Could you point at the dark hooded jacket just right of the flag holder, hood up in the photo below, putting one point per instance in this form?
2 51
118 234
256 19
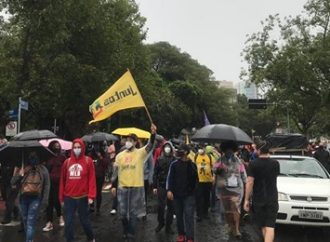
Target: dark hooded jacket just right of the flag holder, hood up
162 167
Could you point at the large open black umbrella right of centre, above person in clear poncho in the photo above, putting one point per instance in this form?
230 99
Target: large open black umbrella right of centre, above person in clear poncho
221 132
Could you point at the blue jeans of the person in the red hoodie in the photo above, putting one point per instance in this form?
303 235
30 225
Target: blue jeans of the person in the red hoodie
70 207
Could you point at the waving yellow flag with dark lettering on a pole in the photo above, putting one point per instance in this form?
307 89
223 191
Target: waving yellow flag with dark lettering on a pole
124 94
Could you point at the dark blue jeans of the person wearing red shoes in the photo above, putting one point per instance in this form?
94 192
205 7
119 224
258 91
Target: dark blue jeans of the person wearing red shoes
185 210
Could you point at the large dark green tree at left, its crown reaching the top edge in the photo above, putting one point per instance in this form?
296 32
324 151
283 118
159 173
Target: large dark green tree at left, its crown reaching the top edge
61 54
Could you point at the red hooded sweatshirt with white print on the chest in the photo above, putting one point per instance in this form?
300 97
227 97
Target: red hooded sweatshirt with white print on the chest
78 176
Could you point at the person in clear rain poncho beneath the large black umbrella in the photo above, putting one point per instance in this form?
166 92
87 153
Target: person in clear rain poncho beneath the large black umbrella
230 179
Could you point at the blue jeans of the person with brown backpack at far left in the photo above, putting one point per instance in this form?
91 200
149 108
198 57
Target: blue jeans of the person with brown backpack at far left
29 209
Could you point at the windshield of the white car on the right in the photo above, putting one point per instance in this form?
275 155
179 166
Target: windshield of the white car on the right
301 167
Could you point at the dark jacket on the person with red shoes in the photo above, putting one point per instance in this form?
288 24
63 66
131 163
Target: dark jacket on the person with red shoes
182 178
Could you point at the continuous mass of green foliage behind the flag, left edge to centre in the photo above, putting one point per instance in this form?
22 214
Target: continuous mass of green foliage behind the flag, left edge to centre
61 55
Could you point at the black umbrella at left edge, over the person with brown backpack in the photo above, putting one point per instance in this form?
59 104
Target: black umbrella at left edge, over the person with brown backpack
18 151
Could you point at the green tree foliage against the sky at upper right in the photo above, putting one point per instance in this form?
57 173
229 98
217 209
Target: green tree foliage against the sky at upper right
294 67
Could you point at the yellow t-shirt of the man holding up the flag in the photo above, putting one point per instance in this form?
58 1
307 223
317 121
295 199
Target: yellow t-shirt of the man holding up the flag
131 167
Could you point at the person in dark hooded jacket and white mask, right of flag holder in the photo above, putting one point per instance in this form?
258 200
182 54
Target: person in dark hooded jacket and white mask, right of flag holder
162 166
